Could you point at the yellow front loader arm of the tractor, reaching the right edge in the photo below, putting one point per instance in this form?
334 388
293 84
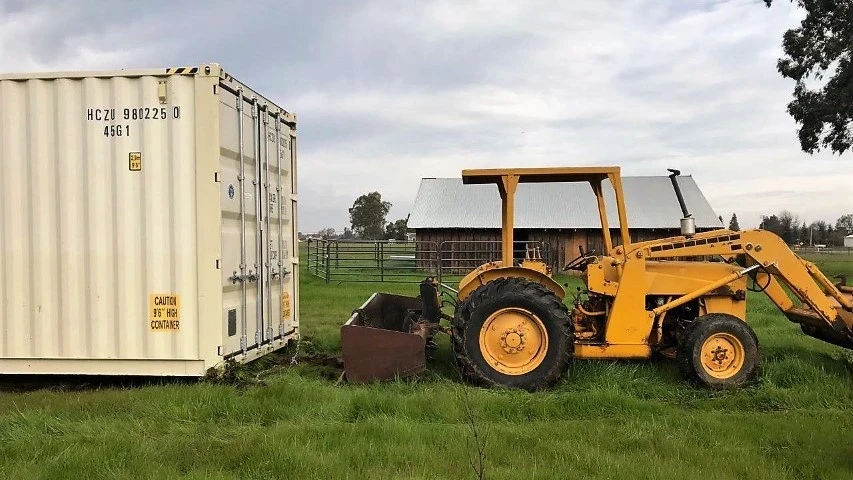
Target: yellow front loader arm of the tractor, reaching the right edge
824 310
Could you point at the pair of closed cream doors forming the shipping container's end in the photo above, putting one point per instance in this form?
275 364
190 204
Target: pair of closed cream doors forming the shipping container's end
256 174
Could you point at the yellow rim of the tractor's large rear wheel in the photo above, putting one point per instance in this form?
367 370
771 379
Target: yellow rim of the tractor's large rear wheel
513 341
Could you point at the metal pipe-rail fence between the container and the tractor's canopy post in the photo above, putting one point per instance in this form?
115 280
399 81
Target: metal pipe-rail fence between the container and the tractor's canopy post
406 262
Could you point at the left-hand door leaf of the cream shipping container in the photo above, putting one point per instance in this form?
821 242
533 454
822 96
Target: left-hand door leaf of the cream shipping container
241 234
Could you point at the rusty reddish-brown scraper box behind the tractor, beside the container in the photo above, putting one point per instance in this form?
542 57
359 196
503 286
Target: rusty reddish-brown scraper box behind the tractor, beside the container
378 342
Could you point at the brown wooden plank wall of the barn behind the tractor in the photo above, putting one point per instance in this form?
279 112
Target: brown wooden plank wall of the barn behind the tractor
467 248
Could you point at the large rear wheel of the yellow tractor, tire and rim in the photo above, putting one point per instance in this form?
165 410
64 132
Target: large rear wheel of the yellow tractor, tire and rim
503 313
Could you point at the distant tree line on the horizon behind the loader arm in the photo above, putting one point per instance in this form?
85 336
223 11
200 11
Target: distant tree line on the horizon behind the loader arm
795 232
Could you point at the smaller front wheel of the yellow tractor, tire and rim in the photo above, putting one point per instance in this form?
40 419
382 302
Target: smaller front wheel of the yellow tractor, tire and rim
719 351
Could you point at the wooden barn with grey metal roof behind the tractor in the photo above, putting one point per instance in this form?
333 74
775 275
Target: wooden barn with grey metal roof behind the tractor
462 222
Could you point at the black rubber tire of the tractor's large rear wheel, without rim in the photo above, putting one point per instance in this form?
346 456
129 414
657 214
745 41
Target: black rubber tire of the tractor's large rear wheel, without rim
502 293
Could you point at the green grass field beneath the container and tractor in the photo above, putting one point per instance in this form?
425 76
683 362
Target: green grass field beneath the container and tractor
606 420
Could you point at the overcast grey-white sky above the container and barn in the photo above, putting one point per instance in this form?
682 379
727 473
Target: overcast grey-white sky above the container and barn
388 92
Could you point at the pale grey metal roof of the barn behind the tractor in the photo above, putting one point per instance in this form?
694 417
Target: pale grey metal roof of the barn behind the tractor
651 203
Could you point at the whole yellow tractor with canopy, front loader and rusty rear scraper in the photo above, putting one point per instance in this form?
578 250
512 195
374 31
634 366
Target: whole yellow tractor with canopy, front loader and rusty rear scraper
682 297
